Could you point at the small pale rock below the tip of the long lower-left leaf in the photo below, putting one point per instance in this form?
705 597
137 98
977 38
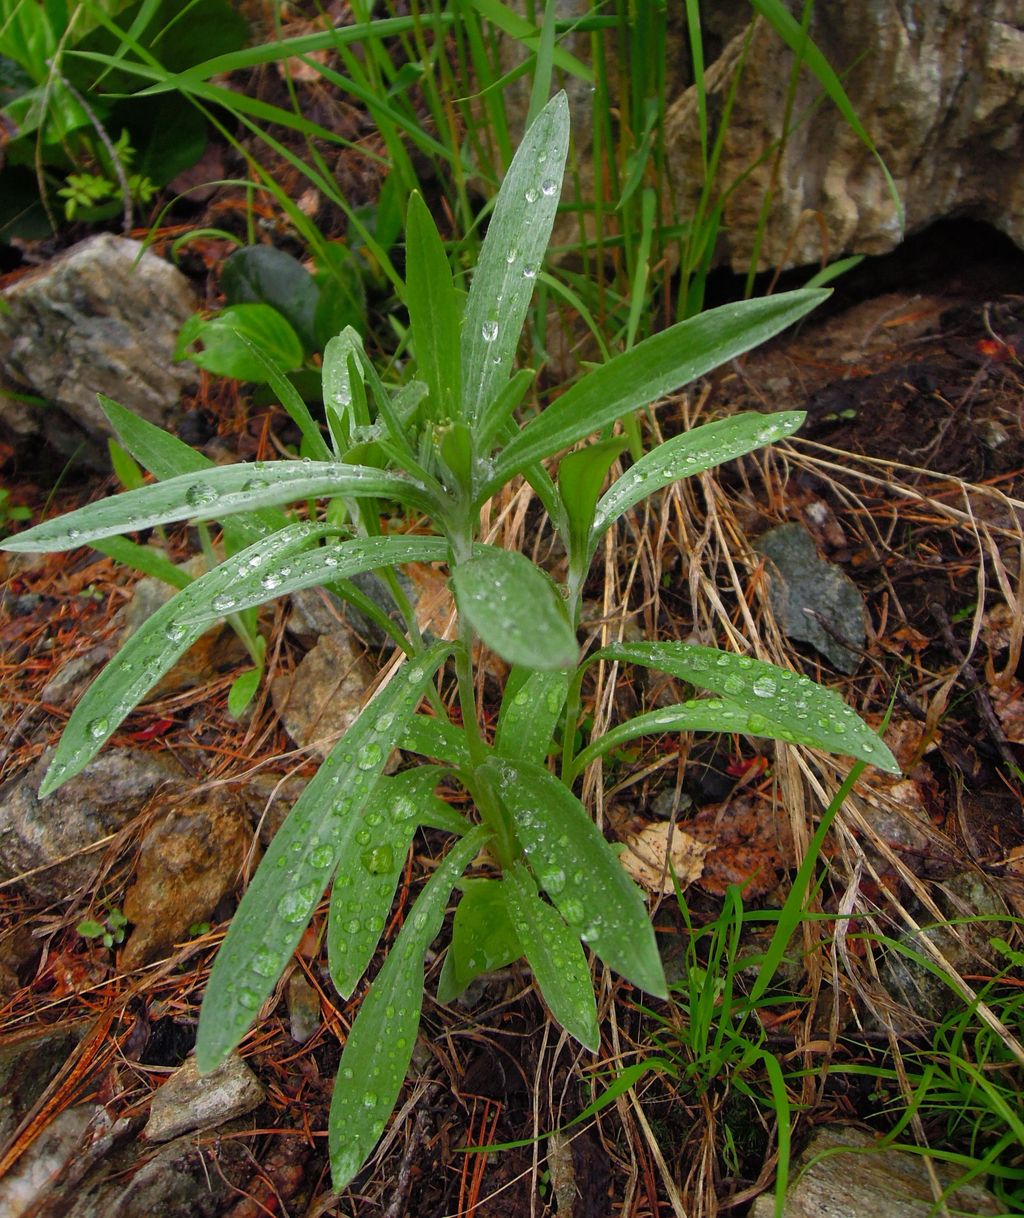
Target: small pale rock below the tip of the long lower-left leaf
187 1102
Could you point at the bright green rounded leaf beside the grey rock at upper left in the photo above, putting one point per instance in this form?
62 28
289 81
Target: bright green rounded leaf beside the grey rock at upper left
225 348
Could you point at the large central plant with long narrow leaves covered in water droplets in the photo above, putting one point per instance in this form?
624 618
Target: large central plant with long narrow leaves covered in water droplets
443 445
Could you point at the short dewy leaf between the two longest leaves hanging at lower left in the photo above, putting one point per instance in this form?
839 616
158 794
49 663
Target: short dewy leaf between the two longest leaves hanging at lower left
368 875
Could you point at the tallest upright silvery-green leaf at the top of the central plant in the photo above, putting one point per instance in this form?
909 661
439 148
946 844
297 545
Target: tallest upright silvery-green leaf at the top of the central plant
510 259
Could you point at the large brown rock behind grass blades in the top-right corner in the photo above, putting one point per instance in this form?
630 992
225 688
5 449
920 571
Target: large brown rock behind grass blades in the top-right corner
939 85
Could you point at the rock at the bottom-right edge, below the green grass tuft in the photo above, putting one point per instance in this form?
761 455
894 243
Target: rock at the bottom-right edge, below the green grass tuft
883 1185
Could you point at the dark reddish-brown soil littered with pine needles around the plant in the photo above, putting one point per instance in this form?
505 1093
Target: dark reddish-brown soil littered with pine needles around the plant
907 473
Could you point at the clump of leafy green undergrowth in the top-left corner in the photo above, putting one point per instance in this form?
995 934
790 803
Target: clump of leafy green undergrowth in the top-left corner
75 131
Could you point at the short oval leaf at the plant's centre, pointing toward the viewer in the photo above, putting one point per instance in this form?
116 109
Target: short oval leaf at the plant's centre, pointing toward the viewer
514 608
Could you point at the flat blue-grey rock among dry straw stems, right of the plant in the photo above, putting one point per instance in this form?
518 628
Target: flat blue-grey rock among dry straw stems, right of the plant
809 595
